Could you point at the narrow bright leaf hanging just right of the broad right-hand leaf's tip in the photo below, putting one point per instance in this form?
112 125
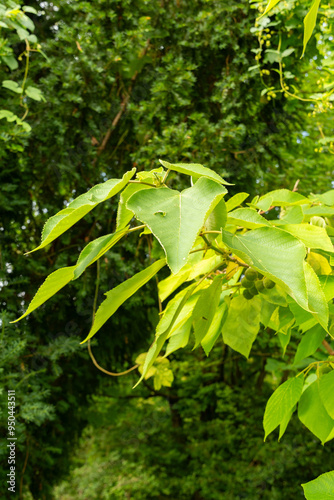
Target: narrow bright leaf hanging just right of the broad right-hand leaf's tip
316 298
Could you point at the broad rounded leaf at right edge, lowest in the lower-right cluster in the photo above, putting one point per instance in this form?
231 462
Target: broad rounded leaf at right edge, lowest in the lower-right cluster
312 413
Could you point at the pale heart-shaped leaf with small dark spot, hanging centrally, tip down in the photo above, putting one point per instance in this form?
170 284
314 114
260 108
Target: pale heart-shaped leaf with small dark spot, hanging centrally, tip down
176 218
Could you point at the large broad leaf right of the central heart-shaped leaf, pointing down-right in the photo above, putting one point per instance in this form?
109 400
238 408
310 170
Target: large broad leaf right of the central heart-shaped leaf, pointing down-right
276 254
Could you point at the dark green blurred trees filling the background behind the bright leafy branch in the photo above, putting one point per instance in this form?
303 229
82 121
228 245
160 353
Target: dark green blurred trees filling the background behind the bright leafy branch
126 82
